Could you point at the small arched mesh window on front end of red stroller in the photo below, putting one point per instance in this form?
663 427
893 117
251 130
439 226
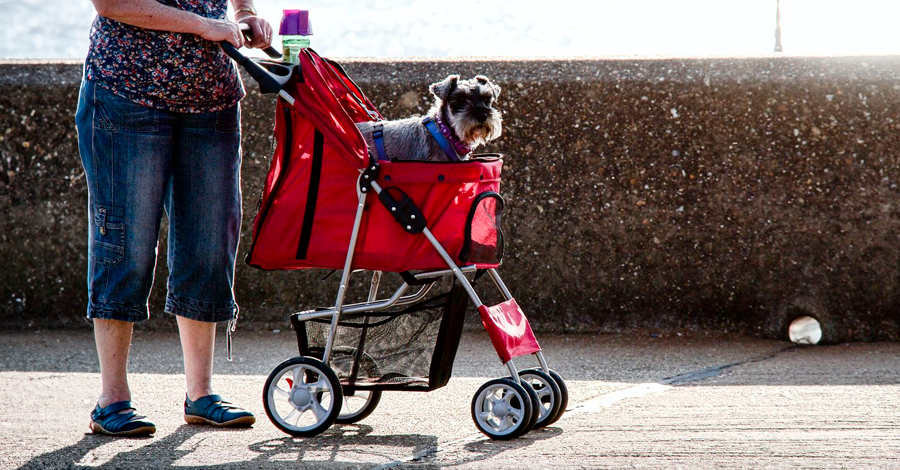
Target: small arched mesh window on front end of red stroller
484 237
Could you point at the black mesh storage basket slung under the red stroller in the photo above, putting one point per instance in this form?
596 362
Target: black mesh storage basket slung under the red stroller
408 349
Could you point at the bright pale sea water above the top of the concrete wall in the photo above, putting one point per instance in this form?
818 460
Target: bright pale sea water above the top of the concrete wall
58 29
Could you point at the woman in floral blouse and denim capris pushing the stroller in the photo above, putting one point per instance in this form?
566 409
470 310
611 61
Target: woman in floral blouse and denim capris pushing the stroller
159 129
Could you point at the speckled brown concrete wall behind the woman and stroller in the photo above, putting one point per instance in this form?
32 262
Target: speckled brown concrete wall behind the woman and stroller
727 194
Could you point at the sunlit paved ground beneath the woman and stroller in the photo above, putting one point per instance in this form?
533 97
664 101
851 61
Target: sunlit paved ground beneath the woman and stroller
636 402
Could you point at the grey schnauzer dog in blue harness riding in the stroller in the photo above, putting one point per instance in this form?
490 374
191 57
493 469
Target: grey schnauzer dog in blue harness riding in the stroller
462 118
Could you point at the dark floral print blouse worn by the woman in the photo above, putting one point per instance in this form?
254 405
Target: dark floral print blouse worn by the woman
170 71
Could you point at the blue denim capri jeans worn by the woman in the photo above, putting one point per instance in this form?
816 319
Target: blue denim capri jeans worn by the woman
139 161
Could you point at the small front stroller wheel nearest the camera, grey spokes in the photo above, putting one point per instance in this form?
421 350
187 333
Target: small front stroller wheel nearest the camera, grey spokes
502 409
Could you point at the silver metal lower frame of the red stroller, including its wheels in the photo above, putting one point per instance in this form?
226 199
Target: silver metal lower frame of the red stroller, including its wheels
526 399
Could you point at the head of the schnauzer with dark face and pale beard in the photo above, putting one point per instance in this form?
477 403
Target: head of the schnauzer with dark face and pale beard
468 108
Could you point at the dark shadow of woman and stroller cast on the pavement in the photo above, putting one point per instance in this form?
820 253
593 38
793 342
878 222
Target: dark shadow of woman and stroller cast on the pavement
341 447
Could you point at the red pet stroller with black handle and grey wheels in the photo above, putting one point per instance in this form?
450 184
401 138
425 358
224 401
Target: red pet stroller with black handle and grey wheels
327 204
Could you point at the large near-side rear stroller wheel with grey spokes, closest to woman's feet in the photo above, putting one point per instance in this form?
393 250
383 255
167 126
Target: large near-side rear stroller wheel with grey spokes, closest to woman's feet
302 396
